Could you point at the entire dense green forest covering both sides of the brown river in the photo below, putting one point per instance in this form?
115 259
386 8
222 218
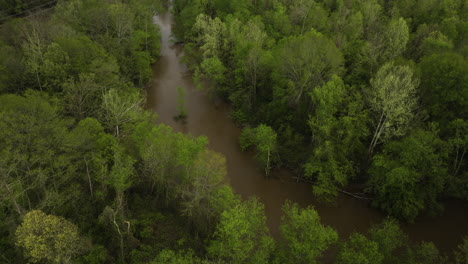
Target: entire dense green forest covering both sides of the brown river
366 93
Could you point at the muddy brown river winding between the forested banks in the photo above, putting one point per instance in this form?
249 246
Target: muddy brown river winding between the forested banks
211 118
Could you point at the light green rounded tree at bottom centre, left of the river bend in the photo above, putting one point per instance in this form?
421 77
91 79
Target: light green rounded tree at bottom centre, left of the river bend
241 235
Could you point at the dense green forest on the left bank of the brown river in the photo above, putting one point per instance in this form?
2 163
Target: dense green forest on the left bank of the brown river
85 174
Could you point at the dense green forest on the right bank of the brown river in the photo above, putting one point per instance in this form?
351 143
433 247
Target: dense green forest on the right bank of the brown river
368 92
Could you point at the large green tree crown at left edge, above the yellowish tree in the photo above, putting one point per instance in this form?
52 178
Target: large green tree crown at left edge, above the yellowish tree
32 140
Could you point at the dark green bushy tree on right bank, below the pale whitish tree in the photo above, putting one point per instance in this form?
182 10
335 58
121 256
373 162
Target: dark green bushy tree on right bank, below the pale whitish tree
409 175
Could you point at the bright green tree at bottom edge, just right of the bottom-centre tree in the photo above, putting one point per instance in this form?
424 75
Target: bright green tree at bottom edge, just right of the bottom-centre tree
305 237
